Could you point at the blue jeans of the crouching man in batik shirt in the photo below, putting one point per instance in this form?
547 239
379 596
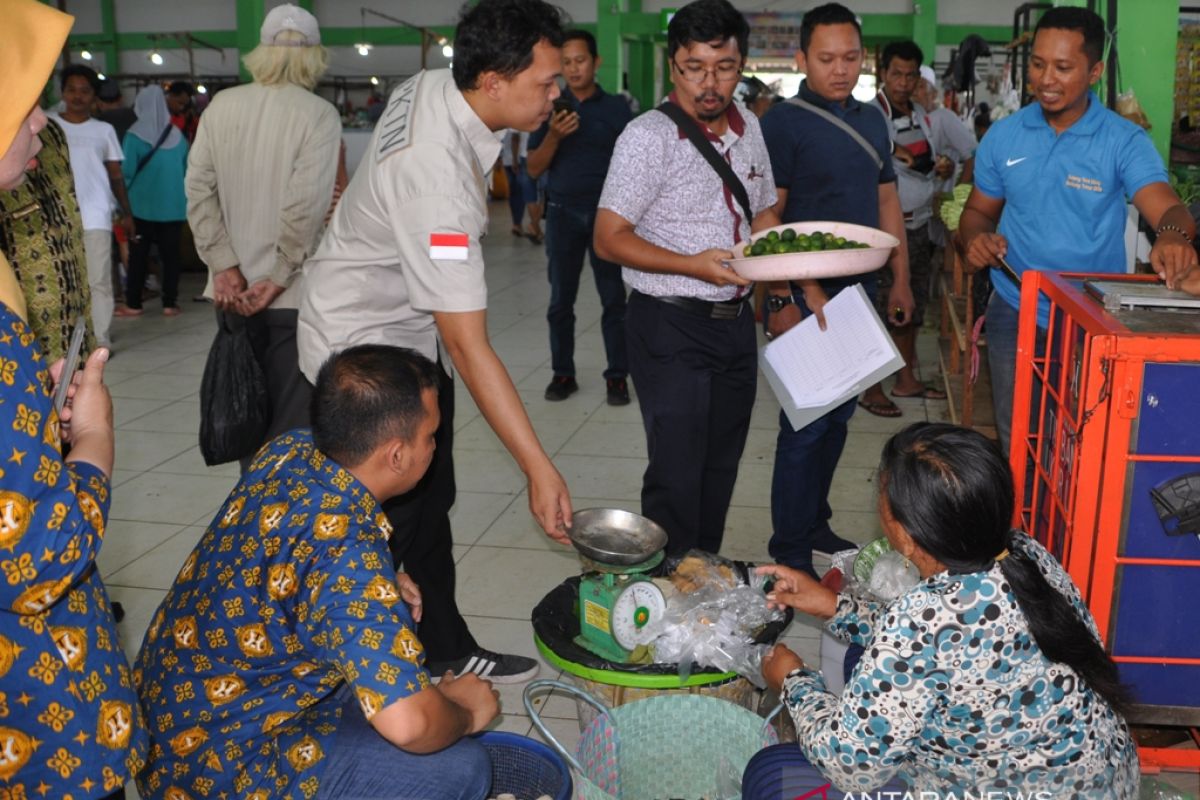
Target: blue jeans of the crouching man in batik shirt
364 766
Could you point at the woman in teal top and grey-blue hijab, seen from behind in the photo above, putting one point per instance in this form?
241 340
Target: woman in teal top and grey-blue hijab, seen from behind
155 164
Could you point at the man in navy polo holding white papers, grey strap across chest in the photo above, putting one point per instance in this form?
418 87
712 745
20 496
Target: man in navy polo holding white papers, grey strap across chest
823 172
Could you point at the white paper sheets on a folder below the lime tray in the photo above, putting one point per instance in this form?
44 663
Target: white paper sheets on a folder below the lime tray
814 371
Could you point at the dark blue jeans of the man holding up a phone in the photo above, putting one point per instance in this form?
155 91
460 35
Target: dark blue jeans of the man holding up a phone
568 238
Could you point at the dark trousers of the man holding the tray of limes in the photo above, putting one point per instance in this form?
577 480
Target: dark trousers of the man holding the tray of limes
697 380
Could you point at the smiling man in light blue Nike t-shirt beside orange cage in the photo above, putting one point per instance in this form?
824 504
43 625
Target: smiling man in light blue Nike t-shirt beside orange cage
1052 184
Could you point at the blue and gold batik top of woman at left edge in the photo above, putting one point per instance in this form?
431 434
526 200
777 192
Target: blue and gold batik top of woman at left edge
70 725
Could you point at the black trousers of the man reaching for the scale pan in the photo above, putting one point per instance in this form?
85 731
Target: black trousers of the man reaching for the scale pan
422 542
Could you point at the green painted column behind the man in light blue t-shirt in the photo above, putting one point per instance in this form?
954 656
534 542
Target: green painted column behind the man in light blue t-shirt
1147 35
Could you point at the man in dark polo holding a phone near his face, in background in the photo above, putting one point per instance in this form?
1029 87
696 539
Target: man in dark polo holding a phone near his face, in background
575 147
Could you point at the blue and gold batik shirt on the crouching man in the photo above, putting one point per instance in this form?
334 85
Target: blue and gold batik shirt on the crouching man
289 597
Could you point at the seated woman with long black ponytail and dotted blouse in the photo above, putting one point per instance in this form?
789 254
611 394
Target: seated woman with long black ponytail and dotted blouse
988 676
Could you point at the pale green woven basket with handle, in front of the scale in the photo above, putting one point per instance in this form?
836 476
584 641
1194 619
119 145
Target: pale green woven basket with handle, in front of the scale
667 747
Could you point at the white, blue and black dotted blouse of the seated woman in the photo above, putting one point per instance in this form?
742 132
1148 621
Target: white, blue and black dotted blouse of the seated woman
953 695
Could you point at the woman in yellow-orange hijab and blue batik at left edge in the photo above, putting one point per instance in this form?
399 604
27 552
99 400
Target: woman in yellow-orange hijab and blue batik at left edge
73 725
